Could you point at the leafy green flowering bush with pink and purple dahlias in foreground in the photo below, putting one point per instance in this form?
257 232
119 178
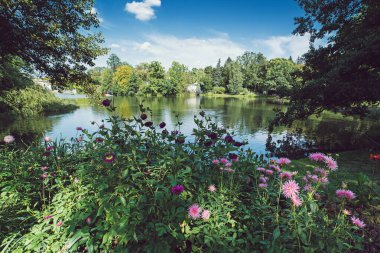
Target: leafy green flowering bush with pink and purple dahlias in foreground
135 187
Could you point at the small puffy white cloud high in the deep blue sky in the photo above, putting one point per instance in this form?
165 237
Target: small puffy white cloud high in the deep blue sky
143 10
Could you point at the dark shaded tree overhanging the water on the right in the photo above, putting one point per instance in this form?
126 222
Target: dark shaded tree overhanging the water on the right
344 74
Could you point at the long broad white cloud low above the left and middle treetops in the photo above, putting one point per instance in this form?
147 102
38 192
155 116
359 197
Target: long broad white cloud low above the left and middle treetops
193 51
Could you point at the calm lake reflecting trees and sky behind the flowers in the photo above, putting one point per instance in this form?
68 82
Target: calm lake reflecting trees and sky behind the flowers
247 117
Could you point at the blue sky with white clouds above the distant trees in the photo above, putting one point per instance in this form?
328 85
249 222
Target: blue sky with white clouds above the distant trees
198 32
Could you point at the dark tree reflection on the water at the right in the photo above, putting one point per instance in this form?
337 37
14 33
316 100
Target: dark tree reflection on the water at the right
326 134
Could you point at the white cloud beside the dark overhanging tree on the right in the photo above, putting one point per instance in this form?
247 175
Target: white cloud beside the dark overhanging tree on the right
283 46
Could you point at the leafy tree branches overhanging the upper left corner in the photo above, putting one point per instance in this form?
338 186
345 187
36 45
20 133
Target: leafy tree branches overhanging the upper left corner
53 37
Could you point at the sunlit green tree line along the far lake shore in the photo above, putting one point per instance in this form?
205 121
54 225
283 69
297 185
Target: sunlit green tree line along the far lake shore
250 72
